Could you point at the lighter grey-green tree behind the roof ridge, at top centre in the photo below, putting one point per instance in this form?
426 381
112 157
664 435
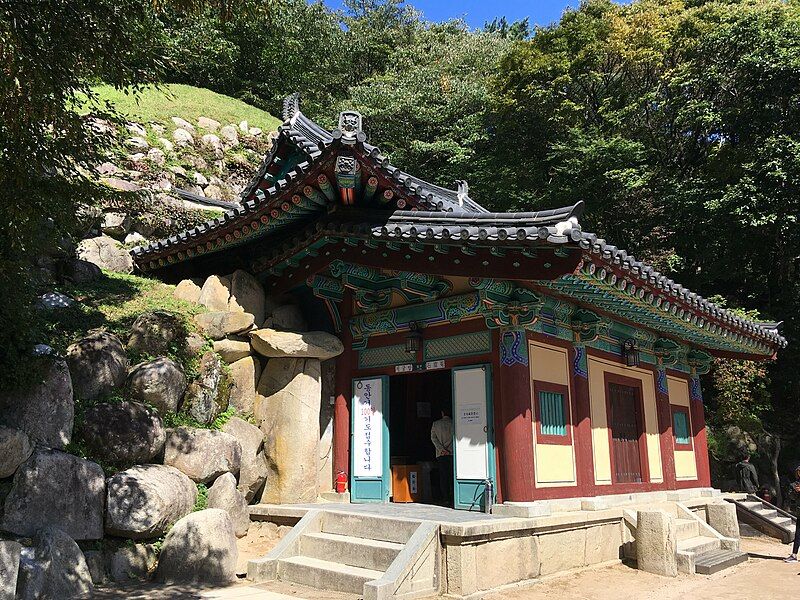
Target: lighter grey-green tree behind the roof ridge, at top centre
427 110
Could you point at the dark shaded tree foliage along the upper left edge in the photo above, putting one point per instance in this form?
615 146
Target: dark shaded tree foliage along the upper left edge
50 52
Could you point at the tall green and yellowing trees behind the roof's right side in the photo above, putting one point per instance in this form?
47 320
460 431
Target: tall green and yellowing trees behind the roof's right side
677 122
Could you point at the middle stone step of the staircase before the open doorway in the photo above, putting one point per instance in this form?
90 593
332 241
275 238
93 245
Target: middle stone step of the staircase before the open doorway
353 551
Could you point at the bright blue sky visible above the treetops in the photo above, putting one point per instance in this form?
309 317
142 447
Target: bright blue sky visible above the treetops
477 12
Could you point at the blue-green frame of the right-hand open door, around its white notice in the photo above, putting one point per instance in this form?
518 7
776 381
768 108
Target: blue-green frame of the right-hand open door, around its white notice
469 493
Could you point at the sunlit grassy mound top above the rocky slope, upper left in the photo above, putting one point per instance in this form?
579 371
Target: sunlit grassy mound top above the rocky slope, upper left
159 104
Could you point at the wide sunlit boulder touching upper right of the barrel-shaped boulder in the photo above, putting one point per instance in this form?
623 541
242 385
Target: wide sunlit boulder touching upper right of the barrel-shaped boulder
202 454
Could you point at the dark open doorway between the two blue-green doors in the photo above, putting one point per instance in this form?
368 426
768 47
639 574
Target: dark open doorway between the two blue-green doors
417 400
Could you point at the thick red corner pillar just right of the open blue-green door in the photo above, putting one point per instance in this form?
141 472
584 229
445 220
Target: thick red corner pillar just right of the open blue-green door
516 423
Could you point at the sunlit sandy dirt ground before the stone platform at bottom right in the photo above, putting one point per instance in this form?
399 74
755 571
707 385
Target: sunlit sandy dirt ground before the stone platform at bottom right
764 577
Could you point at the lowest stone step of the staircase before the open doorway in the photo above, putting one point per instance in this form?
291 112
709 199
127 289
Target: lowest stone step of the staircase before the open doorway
325 575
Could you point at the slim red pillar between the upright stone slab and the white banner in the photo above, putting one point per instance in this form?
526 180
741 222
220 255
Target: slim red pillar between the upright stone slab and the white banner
343 391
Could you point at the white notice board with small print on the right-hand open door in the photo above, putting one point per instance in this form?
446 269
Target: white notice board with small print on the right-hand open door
469 405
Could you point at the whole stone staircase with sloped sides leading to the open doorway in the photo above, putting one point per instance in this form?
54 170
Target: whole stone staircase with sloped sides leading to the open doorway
371 556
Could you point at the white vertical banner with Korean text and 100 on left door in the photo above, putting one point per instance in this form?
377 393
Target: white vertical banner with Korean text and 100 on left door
368 428
